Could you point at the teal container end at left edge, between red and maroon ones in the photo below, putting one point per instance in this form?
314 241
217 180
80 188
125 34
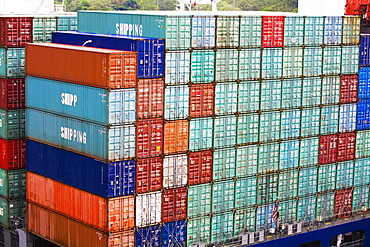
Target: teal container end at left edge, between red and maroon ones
12 62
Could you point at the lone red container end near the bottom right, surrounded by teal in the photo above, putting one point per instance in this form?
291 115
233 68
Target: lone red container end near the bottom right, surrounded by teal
343 203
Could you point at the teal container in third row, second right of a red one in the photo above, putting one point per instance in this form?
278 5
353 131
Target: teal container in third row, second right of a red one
249 96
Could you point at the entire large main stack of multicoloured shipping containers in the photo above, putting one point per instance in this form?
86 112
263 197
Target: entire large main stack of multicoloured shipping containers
254 115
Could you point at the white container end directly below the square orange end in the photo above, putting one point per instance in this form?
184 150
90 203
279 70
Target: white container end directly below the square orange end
175 171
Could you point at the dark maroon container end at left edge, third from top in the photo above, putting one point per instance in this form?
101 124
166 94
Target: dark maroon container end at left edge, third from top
13 93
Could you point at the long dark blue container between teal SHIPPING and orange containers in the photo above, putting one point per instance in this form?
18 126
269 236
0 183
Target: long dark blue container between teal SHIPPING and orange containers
103 179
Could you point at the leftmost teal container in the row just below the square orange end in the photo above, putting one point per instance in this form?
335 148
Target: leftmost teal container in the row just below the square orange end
224 163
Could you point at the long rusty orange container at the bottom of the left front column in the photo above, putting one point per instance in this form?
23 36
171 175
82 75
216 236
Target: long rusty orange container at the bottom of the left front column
67 232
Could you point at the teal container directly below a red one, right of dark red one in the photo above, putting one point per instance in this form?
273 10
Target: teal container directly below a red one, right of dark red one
199 200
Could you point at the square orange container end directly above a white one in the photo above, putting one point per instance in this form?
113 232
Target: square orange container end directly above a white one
176 136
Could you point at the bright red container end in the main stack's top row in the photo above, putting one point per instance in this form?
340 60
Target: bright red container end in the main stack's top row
273 31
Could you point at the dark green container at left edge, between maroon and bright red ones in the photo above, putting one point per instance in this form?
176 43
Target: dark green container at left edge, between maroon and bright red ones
12 124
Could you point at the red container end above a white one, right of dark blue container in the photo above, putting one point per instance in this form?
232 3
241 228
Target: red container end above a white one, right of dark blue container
149 175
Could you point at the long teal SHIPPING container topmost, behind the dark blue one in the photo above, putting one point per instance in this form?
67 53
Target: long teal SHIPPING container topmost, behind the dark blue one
172 26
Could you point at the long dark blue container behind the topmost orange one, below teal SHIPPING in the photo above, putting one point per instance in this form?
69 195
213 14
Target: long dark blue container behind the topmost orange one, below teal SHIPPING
150 50
